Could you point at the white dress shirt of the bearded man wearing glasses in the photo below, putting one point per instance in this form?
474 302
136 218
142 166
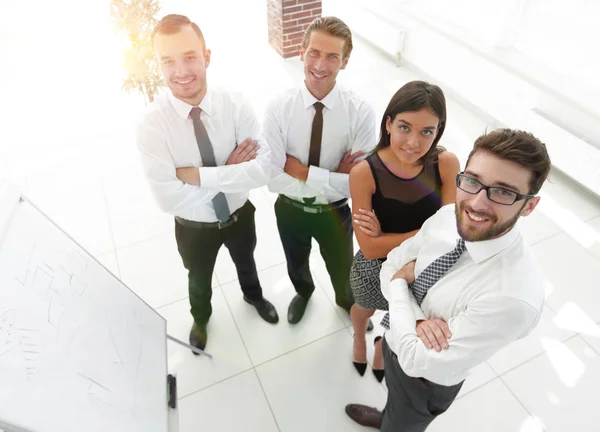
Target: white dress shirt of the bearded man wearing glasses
492 296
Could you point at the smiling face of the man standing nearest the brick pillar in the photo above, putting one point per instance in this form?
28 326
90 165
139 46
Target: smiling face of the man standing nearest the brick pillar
323 59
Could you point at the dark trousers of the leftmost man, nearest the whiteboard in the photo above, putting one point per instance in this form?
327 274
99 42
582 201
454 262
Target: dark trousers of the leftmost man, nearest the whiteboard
199 247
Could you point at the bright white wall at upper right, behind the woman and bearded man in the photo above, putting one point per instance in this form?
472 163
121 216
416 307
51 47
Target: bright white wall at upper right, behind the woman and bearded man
480 52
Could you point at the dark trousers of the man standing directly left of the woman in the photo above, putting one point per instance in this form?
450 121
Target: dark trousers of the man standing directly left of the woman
333 231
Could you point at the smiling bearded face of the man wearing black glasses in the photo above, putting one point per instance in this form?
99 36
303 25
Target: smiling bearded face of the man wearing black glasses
478 218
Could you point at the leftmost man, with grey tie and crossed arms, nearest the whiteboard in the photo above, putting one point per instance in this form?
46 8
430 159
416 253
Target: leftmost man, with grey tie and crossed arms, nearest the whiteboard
202 152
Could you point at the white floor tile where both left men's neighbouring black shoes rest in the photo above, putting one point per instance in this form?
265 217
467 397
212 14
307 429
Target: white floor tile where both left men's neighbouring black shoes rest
266 341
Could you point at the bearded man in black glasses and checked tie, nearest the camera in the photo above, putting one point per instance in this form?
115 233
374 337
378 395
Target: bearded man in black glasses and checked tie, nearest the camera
464 287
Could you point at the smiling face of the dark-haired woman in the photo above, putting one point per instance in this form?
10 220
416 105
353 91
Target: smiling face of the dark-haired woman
412 134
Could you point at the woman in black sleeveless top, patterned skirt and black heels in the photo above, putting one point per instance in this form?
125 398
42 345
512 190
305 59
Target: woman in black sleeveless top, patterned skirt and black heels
394 190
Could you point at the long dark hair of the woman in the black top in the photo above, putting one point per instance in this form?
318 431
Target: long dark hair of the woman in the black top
414 96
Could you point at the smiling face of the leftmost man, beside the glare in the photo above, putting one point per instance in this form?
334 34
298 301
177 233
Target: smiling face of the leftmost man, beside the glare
183 61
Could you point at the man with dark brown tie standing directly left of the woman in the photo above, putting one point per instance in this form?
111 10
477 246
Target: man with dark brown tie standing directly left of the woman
317 132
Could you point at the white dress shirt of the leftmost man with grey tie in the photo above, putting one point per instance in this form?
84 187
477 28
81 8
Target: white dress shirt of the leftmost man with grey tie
167 141
